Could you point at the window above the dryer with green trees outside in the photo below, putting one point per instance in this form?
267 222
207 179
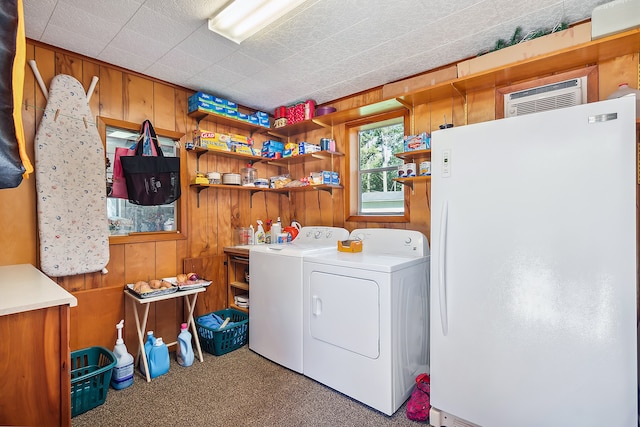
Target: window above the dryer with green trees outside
373 191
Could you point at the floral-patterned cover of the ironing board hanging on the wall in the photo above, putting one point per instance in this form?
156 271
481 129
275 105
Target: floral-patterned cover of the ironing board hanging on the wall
70 184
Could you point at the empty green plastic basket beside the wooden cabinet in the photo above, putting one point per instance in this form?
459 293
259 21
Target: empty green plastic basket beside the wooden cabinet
90 377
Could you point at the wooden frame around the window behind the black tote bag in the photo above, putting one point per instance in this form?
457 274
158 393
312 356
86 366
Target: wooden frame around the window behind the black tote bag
181 205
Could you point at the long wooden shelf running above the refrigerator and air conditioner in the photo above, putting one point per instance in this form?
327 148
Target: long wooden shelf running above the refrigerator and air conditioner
573 57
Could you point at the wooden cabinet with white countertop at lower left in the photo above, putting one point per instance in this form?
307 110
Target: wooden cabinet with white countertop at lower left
34 356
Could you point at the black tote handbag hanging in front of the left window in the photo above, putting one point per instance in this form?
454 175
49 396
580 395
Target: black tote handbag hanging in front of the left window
151 180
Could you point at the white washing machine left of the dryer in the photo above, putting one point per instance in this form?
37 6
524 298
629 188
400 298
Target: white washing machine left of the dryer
275 315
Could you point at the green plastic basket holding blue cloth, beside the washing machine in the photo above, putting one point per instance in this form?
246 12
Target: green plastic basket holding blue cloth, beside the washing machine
222 341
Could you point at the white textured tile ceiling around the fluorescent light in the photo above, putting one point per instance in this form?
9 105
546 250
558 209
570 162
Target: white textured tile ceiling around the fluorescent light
323 50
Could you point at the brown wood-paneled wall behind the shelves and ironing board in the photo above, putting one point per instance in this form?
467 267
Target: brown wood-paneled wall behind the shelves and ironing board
211 220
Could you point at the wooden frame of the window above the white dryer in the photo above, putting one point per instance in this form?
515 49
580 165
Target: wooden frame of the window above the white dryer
352 187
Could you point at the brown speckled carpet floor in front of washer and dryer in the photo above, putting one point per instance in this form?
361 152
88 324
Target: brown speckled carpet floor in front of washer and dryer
240 388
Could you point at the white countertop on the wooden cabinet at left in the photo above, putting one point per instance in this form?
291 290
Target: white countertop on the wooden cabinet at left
23 287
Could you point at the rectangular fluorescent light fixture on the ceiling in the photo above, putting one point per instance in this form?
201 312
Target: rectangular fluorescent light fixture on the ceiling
238 20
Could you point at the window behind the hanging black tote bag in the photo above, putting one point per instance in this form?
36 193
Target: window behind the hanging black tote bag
126 218
